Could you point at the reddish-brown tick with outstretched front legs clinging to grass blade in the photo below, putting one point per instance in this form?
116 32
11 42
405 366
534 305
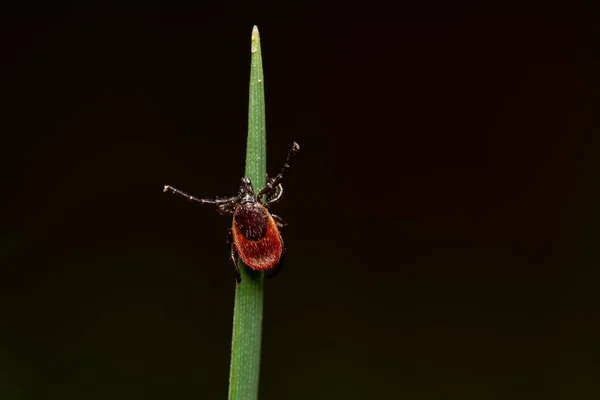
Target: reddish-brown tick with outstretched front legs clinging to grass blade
254 235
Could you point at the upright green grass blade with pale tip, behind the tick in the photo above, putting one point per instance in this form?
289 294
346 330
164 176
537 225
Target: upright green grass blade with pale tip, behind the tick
248 311
